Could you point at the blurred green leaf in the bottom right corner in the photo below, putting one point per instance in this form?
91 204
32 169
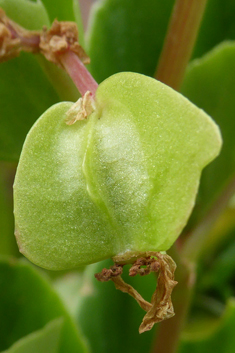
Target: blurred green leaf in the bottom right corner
212 336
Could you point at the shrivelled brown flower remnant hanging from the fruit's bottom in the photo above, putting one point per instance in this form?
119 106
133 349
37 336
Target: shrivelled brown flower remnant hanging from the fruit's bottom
161 307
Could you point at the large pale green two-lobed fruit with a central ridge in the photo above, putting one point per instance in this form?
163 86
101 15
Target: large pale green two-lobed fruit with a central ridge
124 180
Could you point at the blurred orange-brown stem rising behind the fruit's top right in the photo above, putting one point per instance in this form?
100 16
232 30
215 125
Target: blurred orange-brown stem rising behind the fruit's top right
180 39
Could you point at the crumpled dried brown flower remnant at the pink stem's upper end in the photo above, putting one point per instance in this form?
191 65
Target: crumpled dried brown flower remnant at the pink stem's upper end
61 37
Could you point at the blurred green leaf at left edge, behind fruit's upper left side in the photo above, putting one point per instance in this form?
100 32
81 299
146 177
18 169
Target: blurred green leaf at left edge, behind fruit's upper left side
25 94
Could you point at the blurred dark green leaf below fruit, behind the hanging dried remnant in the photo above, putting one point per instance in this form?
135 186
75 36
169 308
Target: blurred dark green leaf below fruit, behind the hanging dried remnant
109 318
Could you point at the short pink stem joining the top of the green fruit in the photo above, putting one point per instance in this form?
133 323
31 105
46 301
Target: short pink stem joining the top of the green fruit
78 72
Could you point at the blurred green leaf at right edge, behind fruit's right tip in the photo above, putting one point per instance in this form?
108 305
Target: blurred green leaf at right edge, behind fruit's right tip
210 84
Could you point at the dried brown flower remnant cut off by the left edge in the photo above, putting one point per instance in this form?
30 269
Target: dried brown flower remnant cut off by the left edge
14 38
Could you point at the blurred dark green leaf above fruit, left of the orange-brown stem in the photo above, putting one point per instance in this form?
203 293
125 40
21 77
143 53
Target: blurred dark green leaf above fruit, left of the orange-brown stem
127 36
